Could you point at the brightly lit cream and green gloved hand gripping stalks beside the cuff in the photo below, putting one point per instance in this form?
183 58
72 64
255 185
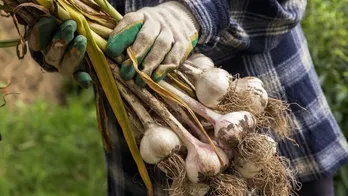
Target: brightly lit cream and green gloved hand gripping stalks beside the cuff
162 37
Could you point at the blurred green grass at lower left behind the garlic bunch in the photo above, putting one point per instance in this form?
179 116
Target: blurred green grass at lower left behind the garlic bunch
51 150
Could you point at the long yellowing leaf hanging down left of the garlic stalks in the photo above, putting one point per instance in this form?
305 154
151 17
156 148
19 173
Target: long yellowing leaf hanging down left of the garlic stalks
111 91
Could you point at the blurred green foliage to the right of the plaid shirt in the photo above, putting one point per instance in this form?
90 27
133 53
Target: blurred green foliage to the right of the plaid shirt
326 28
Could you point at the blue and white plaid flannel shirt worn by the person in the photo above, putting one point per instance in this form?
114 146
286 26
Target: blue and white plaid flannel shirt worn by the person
263 39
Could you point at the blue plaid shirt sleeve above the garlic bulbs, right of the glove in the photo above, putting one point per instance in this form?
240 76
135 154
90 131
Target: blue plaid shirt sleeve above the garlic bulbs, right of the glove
246 25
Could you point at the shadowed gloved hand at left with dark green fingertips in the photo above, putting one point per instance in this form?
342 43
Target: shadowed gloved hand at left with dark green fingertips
57 48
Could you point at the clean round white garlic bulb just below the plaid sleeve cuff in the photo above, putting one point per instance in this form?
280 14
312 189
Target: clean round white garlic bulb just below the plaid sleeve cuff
211 86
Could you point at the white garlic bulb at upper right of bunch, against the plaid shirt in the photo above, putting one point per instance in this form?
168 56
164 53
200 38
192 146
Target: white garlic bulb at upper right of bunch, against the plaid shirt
257 92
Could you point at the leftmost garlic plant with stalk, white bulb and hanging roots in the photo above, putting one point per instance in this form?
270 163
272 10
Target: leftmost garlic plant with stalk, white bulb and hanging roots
157 147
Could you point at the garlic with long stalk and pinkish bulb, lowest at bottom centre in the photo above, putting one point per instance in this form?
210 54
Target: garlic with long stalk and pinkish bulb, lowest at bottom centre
201 159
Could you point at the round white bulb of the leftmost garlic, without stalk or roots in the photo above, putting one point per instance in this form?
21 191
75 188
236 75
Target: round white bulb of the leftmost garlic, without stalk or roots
157 143
